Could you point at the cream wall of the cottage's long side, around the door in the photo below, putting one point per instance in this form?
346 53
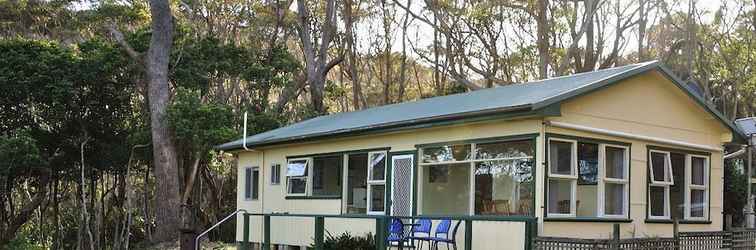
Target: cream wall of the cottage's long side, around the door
299 231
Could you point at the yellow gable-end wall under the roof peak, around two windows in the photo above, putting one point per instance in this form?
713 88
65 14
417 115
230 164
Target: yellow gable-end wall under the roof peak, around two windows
647 105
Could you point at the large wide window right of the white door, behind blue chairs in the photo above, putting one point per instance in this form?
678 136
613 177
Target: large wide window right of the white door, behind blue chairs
491 178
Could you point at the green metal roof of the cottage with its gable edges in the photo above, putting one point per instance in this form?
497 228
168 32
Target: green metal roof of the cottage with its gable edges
531 98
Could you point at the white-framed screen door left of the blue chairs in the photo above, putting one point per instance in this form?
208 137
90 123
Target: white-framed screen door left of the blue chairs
402 172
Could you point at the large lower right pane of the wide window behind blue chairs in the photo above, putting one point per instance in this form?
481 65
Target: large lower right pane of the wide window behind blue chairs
503 187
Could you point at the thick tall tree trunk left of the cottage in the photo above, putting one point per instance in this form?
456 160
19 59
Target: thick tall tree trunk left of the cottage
167 201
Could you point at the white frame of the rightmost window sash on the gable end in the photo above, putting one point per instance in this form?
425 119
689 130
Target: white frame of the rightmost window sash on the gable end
689 186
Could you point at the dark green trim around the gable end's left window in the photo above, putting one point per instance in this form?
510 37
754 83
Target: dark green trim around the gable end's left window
588 140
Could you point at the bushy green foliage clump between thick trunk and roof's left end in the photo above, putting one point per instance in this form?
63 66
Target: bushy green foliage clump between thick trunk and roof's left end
199 124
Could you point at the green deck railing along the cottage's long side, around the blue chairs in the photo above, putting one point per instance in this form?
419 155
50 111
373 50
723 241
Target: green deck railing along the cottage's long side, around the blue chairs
381 227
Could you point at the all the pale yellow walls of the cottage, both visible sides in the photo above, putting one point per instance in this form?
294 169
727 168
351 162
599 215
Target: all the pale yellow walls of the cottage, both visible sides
647 104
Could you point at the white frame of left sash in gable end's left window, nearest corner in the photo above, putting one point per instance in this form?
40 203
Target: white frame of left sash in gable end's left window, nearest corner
572 177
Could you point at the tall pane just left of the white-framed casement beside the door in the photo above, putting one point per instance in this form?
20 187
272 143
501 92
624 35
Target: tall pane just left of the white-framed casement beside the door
356 184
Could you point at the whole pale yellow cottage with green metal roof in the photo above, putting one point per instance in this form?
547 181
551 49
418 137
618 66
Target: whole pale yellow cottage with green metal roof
574 155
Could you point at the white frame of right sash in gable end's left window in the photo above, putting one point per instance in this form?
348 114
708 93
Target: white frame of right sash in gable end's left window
603 180
